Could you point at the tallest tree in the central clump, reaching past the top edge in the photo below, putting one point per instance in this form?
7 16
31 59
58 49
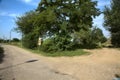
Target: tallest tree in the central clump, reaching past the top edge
68 17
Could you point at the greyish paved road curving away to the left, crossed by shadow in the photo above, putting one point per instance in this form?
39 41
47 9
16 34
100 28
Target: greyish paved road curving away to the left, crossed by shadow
15 67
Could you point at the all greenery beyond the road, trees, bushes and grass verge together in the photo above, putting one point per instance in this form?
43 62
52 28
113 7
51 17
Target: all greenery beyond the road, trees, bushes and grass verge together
65 27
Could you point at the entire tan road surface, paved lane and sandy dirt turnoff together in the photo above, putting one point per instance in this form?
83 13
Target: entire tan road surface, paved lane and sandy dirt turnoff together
102 64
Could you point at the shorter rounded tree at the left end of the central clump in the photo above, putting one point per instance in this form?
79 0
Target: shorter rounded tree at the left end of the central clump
28 29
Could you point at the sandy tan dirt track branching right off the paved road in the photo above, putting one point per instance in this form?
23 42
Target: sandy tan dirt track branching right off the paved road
102 64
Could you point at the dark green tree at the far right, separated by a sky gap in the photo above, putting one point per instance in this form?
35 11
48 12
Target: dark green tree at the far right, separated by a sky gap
112 21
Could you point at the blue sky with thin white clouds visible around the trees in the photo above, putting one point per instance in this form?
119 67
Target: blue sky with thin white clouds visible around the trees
10 9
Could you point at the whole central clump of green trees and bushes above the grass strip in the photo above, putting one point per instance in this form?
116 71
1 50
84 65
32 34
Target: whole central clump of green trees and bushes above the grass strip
62 24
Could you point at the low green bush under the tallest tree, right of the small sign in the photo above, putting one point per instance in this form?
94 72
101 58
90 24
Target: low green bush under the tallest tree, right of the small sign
57 44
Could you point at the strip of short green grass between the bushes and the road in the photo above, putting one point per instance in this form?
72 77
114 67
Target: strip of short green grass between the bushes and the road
77 52
